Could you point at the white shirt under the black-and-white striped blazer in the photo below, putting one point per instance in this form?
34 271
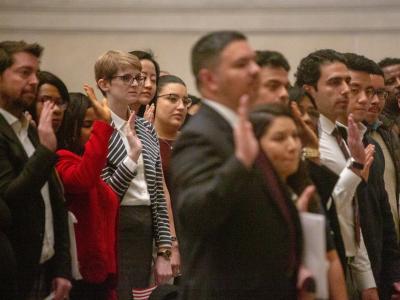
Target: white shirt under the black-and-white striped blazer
137 193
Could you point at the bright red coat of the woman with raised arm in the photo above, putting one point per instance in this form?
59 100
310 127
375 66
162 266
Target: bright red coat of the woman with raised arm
94 204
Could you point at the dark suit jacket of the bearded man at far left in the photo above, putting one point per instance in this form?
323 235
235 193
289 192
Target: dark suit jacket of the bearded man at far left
21 179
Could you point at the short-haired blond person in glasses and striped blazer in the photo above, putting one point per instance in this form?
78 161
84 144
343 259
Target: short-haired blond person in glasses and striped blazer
143 213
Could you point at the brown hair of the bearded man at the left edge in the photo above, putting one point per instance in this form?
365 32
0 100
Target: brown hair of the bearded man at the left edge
9 48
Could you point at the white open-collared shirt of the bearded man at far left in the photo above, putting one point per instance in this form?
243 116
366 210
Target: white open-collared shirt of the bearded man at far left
20 128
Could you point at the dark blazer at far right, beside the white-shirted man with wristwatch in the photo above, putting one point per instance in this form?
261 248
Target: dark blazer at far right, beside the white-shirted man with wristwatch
378 227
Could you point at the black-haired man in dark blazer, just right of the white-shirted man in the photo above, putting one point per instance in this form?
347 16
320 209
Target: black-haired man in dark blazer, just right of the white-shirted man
375 216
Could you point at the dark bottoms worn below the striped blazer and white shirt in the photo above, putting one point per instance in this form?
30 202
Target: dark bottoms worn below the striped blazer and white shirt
135 241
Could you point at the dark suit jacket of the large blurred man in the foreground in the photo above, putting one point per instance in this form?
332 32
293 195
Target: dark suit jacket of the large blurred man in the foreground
234 240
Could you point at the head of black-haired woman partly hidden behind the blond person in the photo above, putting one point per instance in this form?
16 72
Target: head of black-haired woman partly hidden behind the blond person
150 68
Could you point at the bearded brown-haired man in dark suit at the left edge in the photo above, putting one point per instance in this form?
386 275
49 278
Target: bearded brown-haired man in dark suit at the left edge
28 182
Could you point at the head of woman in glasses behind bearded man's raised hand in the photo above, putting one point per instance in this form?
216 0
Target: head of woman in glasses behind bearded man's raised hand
50 88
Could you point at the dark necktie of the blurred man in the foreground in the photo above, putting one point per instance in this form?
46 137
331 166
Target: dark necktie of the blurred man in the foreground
276 192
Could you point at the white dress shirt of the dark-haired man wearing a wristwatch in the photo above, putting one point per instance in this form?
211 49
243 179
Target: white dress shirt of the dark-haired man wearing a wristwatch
343 193
